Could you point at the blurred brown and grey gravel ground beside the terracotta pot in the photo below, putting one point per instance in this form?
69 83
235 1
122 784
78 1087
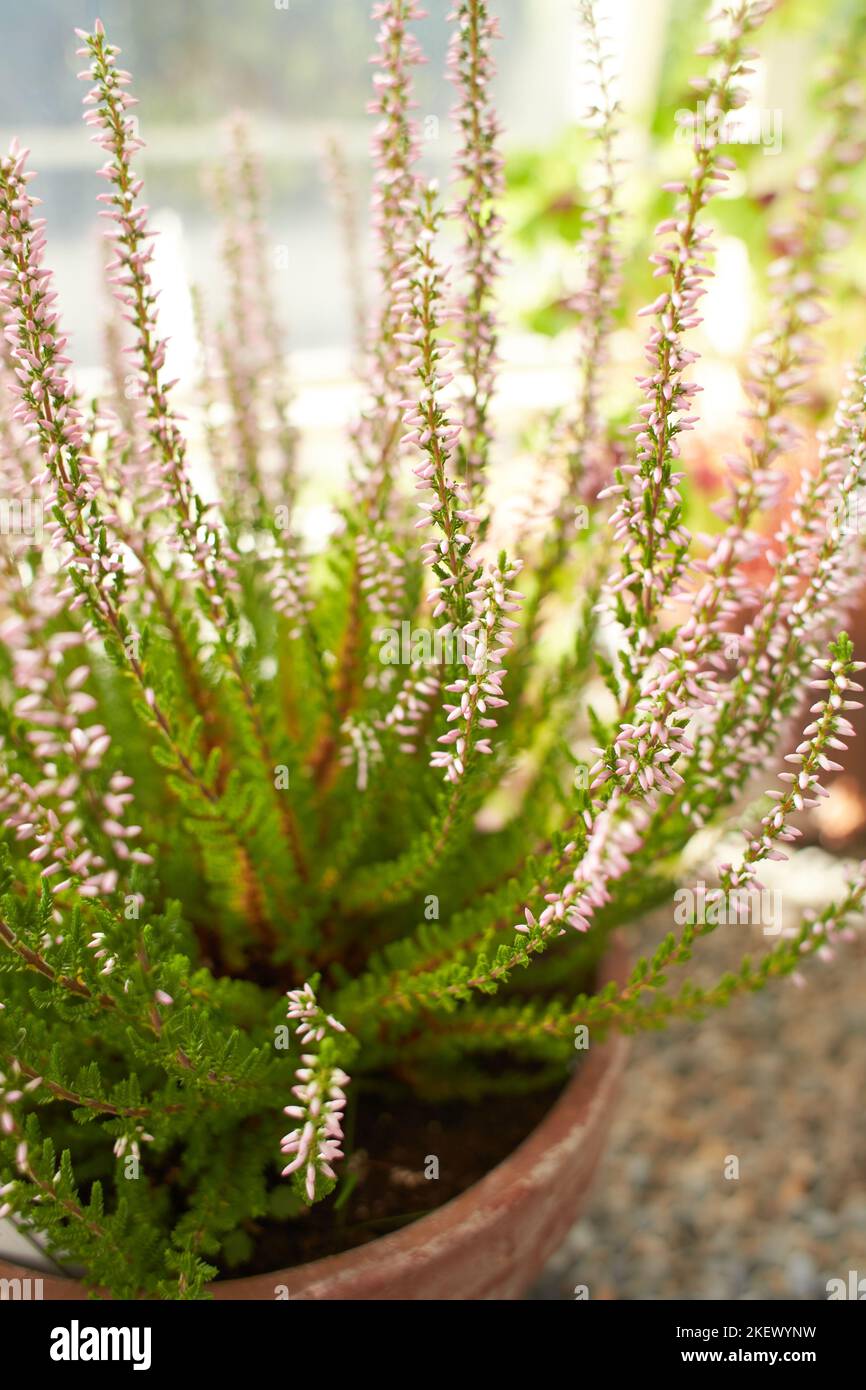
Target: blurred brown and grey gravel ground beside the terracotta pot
778 1082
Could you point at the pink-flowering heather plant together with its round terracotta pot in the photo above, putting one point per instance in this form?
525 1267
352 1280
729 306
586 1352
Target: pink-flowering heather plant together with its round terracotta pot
251 864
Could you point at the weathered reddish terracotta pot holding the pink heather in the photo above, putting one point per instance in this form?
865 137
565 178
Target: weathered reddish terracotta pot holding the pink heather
489 1243
